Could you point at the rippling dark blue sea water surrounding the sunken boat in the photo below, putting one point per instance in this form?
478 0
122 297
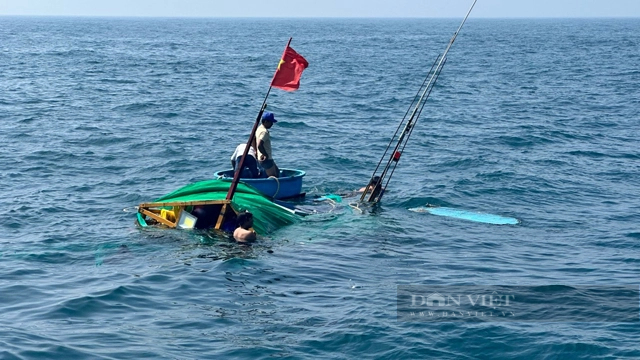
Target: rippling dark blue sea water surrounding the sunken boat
534 119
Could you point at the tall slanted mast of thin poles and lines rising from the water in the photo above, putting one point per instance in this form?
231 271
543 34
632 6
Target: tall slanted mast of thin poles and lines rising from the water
375 189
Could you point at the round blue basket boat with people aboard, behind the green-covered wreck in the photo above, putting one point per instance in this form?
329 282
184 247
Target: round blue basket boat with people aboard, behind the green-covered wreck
287 186
